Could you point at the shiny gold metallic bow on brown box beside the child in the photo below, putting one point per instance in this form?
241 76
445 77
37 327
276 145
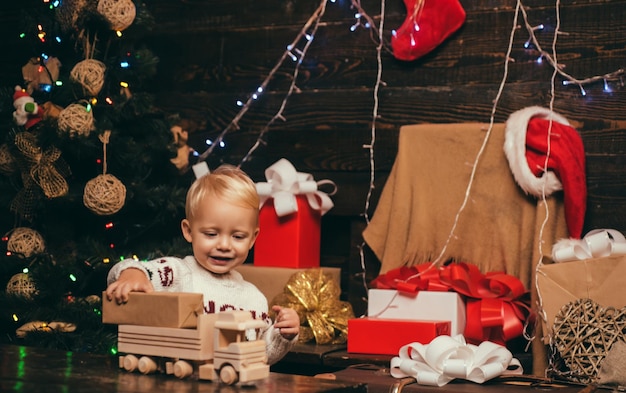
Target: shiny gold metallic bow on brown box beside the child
314 295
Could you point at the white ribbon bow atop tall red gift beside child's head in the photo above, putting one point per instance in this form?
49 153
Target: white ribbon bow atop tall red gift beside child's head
284 183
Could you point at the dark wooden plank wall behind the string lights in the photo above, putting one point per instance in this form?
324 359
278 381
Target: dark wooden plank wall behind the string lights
214 53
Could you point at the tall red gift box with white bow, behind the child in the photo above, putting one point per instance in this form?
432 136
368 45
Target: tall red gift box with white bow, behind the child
291 210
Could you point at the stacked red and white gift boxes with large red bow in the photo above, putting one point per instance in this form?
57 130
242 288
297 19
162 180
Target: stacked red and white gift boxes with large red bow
419 303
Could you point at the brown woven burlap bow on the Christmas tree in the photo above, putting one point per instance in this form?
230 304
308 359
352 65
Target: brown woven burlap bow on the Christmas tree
43 168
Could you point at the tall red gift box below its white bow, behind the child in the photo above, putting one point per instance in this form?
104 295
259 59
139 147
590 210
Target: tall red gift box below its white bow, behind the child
288 241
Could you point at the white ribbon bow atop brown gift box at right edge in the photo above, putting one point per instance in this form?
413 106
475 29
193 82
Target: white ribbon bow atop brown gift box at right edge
598 243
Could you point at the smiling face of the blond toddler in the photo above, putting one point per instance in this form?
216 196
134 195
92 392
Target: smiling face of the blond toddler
221 234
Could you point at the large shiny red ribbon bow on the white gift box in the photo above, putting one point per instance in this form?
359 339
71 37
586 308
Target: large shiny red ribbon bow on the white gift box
496 303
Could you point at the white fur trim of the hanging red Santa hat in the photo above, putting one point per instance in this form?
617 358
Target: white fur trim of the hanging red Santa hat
515 151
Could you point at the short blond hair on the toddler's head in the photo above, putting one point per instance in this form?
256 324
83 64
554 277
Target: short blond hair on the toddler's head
226 182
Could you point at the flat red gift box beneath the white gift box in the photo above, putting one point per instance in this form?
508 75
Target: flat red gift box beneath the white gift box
383 336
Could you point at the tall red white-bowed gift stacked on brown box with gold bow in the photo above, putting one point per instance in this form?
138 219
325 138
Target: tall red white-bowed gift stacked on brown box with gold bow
286 265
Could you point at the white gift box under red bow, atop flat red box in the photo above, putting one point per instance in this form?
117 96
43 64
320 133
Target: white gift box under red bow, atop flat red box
425 306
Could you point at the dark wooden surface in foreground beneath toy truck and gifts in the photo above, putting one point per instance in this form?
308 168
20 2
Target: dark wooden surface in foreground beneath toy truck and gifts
29 369
